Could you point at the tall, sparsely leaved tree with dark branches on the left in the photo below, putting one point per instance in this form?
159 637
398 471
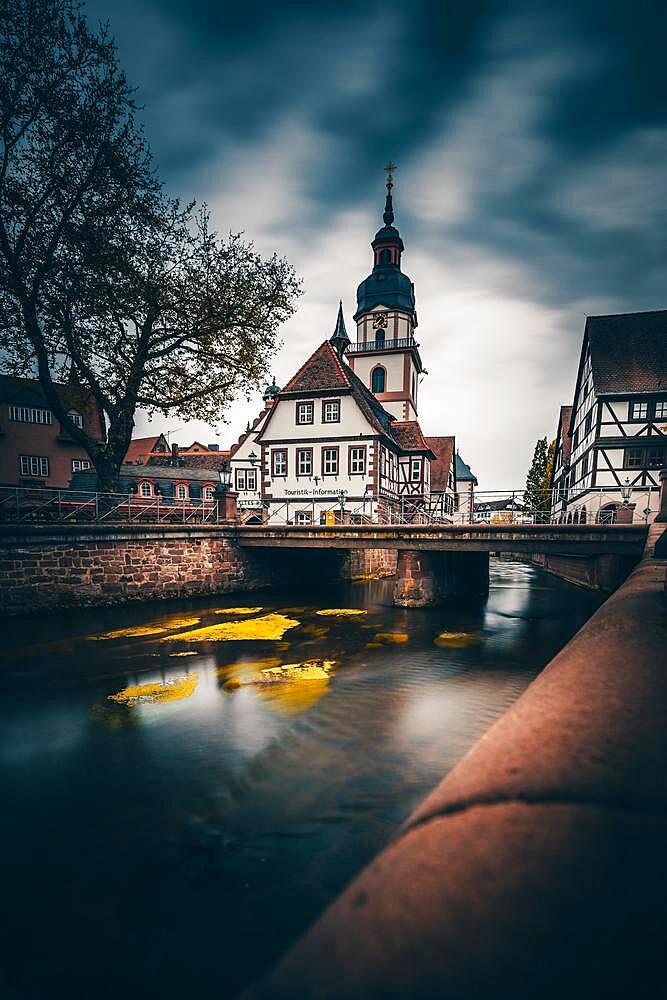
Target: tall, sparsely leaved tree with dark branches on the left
104 281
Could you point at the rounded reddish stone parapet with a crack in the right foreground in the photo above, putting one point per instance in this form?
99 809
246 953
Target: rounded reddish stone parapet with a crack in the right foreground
537 867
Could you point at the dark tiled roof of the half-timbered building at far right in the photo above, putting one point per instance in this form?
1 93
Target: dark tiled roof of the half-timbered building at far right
628 351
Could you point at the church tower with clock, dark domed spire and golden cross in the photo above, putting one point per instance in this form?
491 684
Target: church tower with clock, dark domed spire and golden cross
385 355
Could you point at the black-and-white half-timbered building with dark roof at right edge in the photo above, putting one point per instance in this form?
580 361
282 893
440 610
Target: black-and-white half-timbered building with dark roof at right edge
613 443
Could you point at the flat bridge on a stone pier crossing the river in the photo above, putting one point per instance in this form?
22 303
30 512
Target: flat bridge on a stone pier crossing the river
446 560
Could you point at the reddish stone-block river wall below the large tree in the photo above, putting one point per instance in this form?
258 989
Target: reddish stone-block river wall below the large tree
74 566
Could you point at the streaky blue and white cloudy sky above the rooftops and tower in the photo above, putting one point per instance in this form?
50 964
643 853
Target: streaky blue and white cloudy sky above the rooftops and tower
531 143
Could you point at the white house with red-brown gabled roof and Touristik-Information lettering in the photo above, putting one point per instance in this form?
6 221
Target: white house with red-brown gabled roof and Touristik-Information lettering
327 439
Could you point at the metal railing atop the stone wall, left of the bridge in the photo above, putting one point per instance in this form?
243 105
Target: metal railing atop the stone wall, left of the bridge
41 505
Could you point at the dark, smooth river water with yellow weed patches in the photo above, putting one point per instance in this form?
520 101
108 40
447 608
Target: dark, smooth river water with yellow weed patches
174 848
